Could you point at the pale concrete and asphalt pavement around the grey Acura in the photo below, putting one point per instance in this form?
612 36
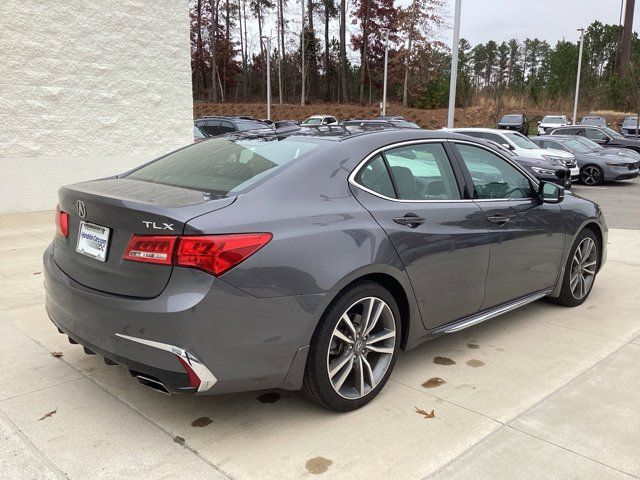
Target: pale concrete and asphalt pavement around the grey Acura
542 392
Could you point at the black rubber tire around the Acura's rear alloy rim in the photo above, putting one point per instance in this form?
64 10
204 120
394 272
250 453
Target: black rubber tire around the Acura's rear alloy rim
317 385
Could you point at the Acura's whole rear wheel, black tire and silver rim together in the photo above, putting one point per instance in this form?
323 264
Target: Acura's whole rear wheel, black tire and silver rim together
354 348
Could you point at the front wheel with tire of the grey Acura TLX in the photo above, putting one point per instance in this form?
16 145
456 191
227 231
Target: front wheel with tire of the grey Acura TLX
580 270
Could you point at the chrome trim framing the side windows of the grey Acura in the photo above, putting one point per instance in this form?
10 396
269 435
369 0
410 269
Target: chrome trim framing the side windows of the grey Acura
361 165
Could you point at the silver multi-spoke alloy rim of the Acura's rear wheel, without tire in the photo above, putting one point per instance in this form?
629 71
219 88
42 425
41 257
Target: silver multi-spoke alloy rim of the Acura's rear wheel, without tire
361 348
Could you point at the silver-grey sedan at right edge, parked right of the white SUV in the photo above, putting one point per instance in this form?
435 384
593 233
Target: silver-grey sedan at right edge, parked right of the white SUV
594 168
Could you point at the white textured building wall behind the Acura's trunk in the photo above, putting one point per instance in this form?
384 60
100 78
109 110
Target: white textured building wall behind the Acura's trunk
88 89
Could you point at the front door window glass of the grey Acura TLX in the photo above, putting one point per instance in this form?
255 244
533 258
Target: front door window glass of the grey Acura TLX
492 176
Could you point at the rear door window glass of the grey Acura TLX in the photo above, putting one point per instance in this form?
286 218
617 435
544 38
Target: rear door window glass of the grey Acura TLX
422 172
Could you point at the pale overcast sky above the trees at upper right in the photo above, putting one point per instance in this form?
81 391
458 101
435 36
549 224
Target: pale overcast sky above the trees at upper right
549 20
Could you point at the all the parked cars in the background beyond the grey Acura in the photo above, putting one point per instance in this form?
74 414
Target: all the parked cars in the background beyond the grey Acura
563 154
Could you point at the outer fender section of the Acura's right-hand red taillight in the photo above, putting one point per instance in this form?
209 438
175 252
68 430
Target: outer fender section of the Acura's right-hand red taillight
217 254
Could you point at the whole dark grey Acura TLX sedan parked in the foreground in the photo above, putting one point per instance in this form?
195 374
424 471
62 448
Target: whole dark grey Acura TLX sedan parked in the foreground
308 258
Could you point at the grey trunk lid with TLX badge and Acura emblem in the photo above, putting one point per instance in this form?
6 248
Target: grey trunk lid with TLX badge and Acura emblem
126 207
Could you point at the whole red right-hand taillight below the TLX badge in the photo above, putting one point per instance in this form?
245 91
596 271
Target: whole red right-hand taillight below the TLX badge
215 254
